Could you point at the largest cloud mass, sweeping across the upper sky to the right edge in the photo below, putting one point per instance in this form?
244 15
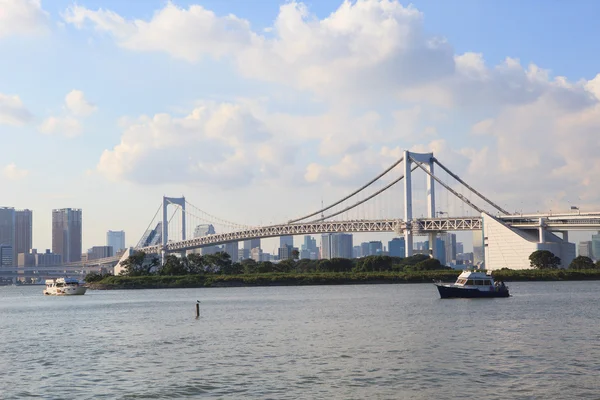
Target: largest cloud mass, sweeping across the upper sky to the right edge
526 122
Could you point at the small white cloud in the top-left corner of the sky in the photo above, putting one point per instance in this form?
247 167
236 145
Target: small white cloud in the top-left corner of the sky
22 17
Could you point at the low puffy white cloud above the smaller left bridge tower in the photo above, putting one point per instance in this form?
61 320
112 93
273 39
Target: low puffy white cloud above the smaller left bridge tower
218 143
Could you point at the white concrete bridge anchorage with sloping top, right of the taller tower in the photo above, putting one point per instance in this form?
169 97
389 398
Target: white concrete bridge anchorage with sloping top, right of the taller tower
507 247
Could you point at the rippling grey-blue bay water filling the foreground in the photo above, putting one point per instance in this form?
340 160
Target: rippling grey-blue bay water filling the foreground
349 342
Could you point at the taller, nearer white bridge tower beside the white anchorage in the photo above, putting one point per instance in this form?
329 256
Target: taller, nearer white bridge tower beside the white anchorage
427 159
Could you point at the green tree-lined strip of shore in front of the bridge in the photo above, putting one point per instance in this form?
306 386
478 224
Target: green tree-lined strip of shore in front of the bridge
217 270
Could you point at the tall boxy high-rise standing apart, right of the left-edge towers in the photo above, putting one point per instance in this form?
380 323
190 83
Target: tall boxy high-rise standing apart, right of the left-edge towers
66 233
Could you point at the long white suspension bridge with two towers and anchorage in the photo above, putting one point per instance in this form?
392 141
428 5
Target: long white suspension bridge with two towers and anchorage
509 237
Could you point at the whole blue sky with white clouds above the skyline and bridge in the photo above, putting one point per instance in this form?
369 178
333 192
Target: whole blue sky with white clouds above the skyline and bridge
258 111
